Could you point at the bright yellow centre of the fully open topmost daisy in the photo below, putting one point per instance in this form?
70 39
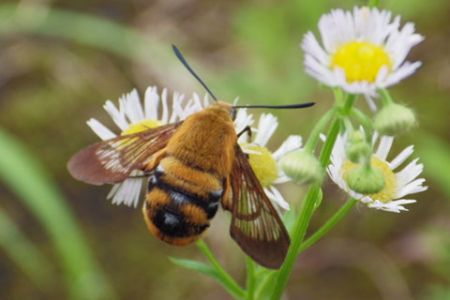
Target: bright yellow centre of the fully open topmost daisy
360 61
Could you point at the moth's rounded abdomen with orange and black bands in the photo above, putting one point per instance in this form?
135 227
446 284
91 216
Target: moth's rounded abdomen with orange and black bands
180 201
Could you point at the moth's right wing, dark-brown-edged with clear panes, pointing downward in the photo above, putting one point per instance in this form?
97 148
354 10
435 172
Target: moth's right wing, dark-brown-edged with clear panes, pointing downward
255 224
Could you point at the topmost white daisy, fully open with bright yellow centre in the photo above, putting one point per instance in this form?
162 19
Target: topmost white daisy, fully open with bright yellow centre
361 50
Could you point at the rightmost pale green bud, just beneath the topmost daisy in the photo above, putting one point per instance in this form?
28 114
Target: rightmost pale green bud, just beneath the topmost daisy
394 119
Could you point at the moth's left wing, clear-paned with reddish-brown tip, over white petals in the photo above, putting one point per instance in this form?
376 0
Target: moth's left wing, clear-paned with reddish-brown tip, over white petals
113 160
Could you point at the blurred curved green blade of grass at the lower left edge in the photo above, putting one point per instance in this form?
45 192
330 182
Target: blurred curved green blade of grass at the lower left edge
25 176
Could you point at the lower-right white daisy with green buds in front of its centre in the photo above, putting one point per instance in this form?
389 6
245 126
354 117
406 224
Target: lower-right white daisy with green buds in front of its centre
398 184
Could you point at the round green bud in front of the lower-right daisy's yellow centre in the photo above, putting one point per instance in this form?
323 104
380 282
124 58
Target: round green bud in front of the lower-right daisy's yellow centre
365 180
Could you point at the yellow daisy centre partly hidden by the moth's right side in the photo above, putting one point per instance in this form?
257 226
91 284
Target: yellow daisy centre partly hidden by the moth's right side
263 164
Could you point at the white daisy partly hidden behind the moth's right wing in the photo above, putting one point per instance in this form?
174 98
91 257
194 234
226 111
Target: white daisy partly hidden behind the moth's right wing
264 163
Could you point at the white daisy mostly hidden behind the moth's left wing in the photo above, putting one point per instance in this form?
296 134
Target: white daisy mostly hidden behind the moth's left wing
132 116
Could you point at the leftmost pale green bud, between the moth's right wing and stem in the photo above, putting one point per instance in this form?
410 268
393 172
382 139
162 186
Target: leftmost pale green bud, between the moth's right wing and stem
302 167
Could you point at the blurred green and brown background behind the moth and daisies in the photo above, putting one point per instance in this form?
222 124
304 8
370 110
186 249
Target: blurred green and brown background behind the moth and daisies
60 60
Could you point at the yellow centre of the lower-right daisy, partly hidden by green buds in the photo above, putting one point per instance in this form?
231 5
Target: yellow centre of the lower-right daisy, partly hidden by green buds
387 194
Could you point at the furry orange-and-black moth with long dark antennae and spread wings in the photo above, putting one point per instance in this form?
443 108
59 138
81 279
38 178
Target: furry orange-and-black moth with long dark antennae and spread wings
193 167
